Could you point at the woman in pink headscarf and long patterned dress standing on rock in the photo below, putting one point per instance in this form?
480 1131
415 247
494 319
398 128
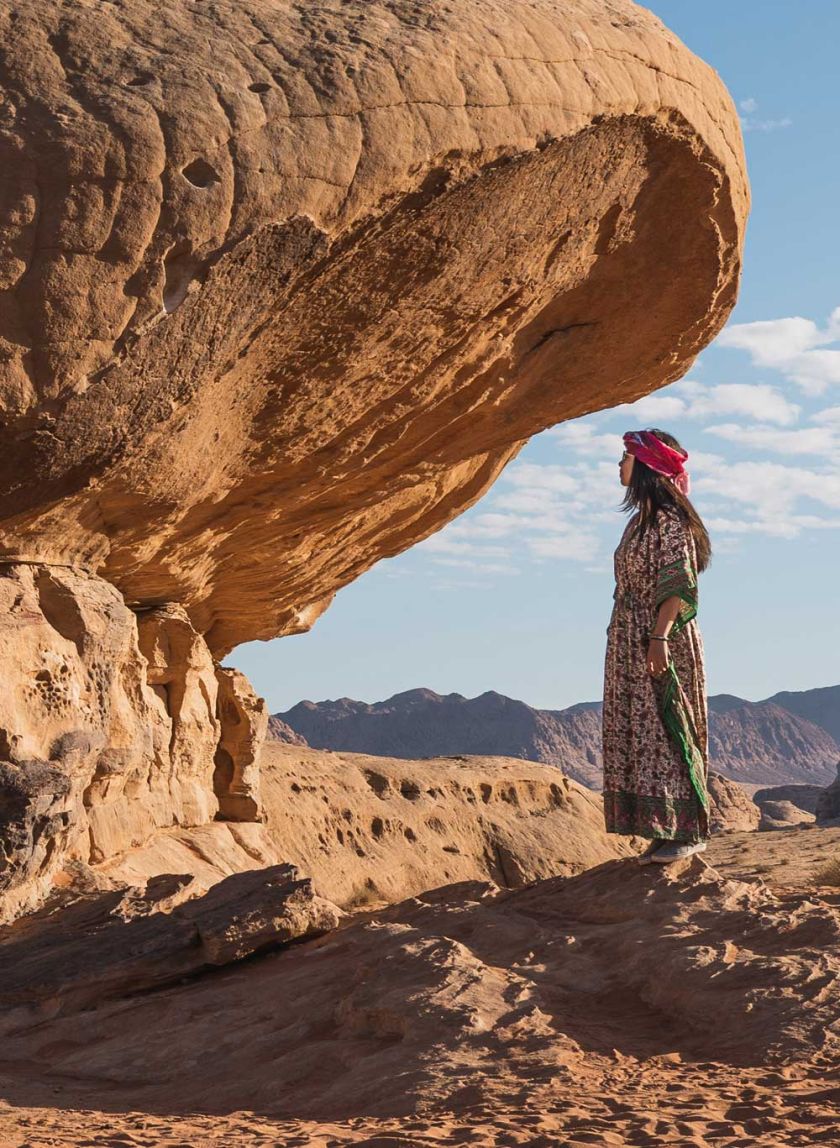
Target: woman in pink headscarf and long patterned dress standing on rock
656 740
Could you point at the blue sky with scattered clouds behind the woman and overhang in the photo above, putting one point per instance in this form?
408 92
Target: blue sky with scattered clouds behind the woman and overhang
516 595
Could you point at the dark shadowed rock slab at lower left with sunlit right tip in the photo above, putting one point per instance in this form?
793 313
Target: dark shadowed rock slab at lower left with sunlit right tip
97 945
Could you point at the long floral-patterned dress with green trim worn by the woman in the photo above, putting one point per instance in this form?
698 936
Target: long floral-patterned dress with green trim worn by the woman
656 736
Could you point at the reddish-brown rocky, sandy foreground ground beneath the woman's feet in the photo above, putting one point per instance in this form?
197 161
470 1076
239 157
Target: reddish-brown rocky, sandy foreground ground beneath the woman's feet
693 1005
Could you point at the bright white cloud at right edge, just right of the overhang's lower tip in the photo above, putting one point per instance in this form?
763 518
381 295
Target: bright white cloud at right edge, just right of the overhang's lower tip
794 347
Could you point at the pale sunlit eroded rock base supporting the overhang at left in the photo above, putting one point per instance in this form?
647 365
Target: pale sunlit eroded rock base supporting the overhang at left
110 726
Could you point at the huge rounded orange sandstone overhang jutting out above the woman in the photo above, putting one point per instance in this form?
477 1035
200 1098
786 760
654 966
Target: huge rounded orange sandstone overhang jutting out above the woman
286 286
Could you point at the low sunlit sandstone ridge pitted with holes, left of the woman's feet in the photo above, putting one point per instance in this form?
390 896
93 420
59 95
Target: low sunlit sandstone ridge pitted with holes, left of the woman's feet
372 831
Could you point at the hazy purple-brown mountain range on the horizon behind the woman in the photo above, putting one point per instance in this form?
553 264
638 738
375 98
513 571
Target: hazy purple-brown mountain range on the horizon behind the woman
761 743
